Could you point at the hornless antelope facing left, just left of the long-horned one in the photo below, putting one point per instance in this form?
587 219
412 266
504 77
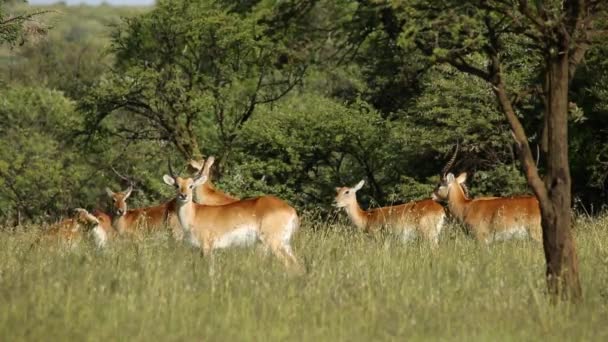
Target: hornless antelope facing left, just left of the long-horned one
408 220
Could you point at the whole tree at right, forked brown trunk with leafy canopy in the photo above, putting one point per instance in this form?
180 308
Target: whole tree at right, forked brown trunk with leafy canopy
475 37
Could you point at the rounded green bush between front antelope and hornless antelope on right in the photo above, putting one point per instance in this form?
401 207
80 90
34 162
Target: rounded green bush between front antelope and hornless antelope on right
307 144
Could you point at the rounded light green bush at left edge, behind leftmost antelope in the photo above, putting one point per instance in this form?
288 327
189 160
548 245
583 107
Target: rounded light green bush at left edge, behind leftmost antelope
40 170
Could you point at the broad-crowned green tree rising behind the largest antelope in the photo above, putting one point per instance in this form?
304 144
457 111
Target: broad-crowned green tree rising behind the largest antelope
191 72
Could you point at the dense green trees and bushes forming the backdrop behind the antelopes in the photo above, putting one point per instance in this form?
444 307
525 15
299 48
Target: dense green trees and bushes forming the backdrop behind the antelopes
294 99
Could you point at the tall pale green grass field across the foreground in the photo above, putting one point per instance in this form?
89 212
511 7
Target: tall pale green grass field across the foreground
356 289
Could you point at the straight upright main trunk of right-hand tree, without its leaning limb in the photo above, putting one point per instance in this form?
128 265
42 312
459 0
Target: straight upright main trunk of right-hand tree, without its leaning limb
558 242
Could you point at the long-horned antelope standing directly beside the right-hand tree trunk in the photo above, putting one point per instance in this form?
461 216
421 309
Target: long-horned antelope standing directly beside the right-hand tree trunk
489 218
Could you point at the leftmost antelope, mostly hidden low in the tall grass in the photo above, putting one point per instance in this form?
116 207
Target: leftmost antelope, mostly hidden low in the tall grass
70 230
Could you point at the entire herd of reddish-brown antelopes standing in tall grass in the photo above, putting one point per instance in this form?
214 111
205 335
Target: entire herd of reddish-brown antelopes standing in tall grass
210 219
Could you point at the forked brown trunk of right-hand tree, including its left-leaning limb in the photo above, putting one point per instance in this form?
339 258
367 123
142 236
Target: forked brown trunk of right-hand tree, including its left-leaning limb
554 193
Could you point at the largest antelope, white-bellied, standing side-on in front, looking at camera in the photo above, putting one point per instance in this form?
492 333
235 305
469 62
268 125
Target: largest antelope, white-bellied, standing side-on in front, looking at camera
265 219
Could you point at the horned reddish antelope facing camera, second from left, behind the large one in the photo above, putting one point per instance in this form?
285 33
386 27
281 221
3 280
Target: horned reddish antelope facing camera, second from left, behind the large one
149 218
